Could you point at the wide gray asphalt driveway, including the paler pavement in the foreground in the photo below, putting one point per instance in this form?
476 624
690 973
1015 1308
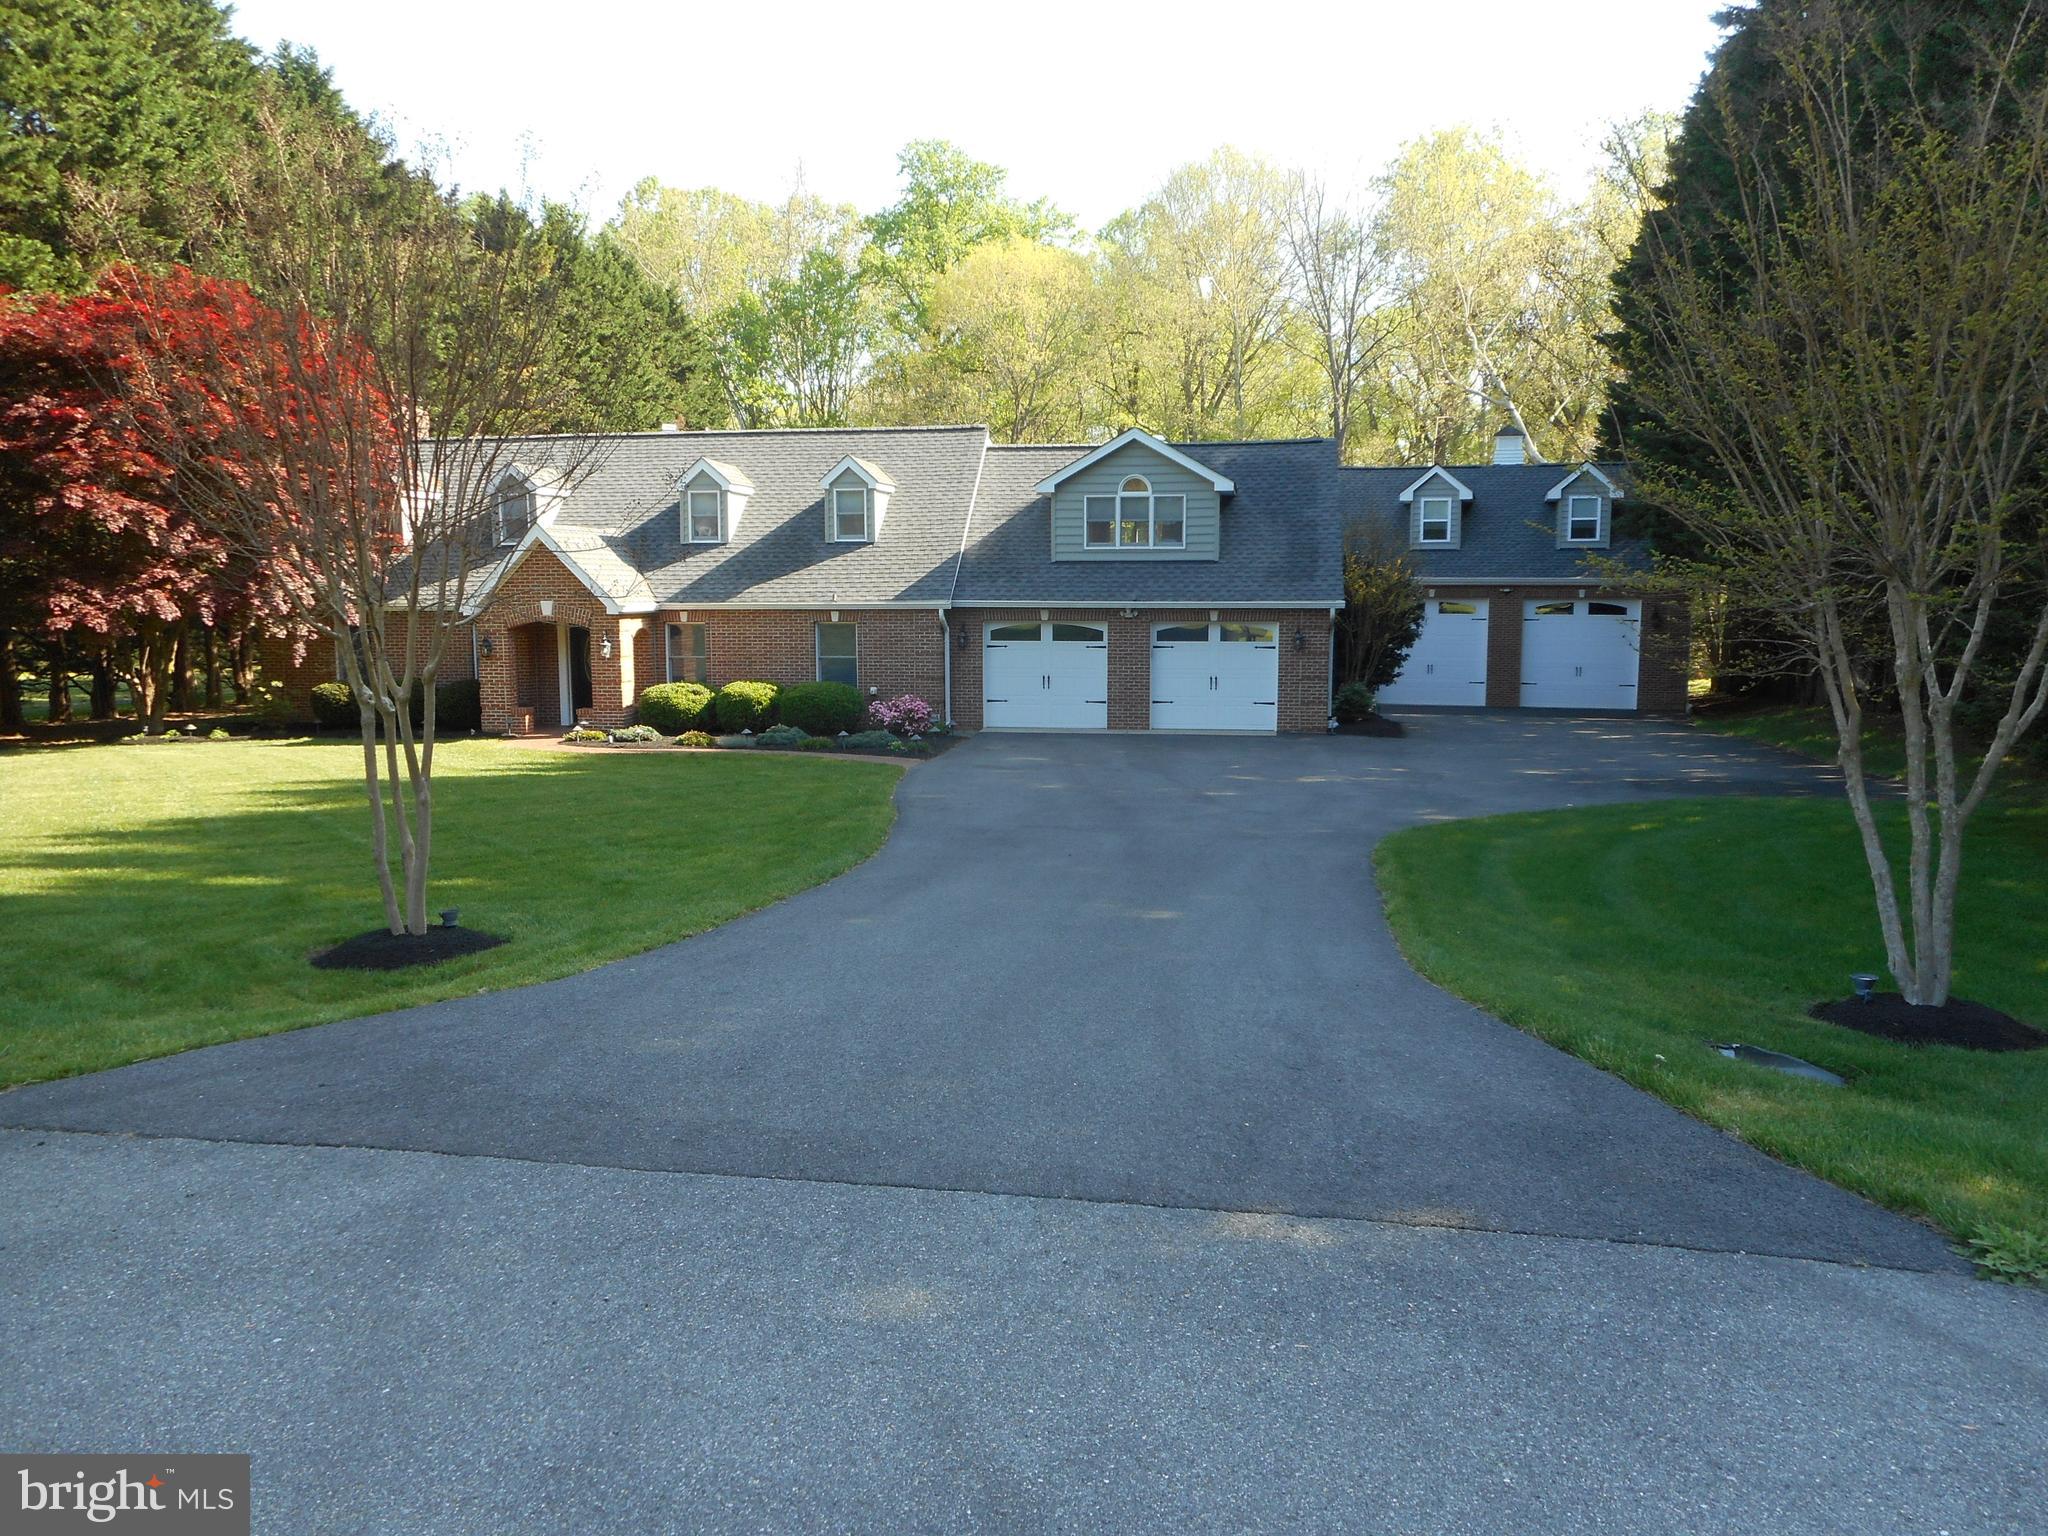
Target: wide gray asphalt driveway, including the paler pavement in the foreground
876 1164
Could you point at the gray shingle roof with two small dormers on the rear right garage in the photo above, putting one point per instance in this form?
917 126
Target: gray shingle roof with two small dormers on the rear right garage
1510 529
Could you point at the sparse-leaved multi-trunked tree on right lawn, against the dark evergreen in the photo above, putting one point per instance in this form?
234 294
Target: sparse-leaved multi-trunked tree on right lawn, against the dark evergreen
1850 382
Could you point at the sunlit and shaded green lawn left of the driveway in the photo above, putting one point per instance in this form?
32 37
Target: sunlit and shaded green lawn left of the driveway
157 898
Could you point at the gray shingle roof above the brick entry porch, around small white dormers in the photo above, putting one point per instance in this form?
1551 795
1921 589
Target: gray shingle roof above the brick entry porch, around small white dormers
626 523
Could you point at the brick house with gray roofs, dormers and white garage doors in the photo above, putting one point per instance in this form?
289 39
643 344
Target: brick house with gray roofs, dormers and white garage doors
1136 585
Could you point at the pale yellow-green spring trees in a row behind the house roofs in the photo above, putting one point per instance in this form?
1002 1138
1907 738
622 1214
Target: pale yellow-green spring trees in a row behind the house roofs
1406 318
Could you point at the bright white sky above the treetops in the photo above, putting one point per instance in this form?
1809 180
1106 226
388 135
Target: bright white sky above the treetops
1091 105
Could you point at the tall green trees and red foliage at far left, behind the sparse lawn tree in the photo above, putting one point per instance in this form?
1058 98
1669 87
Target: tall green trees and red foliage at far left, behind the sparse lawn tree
148 136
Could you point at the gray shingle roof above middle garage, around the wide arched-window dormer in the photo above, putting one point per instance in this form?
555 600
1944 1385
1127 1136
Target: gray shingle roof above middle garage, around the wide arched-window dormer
1281 534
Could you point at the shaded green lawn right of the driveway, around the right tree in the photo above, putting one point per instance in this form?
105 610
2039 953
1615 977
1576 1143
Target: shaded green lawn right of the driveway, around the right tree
1637 935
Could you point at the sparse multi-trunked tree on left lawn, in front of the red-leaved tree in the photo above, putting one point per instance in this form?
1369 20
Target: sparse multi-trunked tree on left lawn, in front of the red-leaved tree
349 419
